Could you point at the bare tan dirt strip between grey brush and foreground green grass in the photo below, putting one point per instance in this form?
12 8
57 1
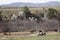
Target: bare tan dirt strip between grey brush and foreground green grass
21 34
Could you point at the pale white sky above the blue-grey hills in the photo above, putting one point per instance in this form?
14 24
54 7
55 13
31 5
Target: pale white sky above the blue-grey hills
33 1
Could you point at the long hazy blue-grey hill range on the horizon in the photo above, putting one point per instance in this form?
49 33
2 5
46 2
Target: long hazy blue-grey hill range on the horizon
22 4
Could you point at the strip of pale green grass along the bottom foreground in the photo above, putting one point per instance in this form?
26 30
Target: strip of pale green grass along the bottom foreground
44 37
